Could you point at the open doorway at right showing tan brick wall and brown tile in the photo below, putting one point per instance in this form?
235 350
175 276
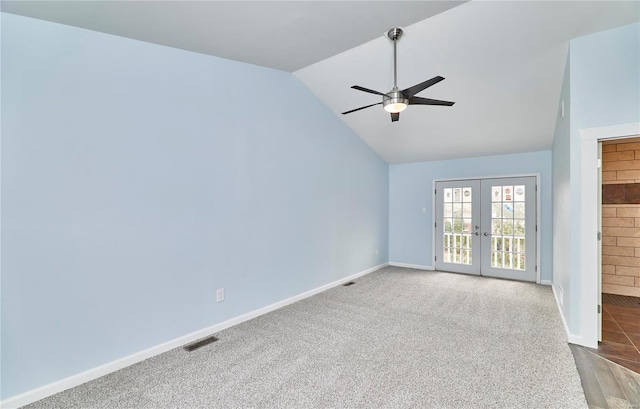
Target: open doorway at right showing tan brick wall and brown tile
619 338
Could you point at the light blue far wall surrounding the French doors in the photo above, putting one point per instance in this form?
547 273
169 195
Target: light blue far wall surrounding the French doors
411 190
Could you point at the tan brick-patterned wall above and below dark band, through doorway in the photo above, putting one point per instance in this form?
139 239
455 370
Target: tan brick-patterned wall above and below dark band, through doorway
621 222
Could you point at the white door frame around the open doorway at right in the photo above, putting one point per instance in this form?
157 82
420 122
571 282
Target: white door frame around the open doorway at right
584 271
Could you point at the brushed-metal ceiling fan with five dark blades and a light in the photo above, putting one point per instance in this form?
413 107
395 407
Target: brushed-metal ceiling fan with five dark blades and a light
396 100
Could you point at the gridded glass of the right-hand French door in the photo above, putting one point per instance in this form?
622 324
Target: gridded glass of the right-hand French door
508 227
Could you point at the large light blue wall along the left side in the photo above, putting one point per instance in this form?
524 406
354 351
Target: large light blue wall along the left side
137 179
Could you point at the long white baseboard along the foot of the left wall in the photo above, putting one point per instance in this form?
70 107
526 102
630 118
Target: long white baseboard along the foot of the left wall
94 373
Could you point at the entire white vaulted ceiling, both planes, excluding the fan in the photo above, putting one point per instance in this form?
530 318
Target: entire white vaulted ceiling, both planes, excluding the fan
503 61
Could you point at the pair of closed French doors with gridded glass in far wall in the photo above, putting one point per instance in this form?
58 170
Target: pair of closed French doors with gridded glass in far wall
487 227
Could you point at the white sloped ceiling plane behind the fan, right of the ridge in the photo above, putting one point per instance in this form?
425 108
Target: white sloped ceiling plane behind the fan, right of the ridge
503 63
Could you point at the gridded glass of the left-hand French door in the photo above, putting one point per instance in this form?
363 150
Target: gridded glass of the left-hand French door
457 225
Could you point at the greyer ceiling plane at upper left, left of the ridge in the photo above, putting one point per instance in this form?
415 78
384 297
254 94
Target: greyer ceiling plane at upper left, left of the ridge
286 35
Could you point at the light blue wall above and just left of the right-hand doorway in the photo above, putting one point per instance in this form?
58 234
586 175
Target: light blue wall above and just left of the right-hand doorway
605 90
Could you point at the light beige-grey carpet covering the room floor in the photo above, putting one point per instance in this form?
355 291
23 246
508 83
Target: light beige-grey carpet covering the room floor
397 338
